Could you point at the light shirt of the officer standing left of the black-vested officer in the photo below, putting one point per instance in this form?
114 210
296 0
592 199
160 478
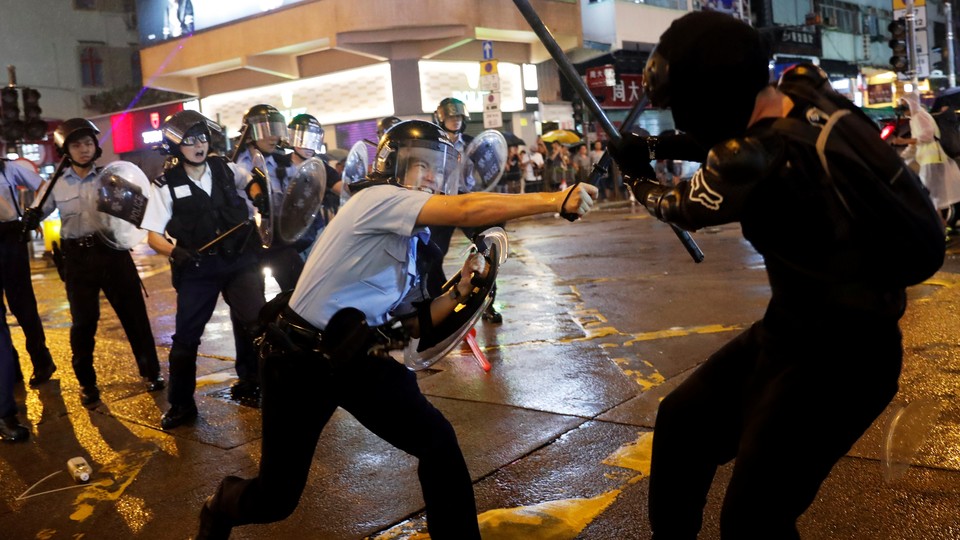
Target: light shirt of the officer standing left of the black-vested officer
76 198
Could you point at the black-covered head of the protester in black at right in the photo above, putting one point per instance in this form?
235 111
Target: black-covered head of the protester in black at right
708 69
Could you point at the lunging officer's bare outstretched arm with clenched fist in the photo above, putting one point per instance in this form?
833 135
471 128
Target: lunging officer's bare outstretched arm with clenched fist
482 208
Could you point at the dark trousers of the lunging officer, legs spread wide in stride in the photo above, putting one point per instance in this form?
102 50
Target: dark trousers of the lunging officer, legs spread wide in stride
299 395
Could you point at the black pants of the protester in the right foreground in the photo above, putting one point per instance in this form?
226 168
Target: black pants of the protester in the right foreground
786 406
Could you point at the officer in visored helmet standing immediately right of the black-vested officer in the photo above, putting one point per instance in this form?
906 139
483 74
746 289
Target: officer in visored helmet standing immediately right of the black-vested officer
266 130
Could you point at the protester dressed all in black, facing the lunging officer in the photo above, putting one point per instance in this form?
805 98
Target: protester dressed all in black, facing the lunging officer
827 352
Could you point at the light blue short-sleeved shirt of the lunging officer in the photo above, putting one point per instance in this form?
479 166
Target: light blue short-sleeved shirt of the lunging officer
365 258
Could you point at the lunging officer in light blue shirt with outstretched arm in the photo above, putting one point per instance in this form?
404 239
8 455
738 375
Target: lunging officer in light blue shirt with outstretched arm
317 354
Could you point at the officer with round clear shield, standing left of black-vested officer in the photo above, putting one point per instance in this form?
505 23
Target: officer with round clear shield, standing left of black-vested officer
90 266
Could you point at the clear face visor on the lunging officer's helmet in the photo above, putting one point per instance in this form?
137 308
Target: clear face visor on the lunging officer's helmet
426 167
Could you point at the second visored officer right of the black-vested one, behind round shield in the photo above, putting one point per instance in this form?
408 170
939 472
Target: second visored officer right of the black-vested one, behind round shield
305 140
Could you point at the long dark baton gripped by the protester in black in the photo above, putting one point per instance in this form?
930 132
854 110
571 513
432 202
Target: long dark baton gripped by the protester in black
566 67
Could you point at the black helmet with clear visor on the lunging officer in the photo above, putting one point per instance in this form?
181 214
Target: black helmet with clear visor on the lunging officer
421 144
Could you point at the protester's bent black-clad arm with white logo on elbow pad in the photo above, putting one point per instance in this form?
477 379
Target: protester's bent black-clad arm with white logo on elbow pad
717 192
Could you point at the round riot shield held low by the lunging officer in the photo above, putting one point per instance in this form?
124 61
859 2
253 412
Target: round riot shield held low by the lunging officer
449 334
